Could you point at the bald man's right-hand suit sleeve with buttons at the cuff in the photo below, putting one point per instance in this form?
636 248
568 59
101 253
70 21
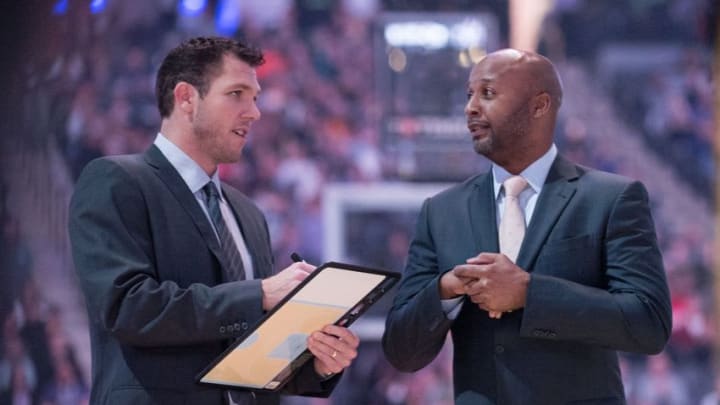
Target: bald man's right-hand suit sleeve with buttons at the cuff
632 313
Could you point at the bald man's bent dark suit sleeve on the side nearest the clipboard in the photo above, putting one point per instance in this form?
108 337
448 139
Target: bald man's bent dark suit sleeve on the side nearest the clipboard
416 326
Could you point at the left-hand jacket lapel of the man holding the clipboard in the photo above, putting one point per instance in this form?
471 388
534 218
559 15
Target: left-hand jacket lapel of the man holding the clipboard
182 194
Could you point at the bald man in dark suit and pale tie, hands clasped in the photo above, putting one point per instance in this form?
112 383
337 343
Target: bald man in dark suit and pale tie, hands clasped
540 324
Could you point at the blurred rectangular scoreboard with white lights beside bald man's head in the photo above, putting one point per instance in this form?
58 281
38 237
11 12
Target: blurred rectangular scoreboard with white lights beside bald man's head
422 63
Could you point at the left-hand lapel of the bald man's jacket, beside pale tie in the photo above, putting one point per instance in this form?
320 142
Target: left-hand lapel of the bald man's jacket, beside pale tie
482 214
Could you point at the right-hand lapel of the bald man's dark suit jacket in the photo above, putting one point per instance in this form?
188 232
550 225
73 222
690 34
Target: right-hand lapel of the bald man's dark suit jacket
557 191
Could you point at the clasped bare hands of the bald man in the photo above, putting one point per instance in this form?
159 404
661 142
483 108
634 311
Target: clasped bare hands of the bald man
490 280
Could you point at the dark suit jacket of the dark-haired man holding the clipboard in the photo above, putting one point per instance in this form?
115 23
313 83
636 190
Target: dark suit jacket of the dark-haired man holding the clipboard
150 268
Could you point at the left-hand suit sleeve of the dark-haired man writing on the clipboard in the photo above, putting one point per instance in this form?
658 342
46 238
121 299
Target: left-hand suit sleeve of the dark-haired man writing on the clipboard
114 256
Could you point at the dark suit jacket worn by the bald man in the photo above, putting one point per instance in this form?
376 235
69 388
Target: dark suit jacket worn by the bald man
597 286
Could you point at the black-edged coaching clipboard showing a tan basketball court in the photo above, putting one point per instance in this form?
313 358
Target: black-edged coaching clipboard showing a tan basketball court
268 355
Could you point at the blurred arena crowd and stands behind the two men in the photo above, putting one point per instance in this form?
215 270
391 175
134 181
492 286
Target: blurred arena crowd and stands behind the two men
362 119
